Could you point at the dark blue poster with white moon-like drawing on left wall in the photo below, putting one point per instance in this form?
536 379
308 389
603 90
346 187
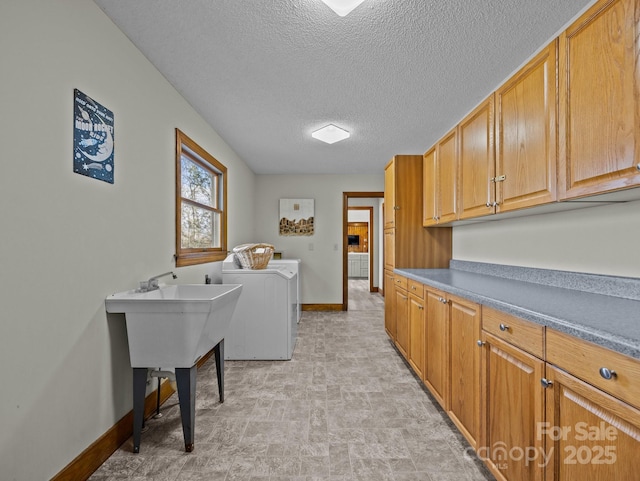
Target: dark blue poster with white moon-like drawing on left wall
92 138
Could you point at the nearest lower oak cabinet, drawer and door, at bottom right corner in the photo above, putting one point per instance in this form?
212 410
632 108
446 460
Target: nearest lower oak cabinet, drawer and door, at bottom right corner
592 426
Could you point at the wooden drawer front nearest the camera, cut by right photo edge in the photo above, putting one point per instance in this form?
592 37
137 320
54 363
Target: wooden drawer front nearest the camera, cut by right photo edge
589 362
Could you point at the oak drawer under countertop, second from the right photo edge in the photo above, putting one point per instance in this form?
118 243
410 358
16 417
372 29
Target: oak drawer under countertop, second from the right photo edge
523 334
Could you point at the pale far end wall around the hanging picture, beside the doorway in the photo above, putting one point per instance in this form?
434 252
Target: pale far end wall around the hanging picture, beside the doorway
322 266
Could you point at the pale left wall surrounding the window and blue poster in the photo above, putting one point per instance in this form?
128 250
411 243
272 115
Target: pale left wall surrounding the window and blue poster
68 240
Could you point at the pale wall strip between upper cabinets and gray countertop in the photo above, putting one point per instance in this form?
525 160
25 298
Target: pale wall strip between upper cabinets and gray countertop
598 240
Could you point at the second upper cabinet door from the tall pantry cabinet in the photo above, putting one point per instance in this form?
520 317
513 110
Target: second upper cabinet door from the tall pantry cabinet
447 177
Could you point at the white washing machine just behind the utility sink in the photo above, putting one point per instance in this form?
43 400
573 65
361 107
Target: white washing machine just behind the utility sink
264 325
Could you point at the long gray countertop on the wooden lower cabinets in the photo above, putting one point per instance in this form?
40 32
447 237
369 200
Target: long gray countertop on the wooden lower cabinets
612 322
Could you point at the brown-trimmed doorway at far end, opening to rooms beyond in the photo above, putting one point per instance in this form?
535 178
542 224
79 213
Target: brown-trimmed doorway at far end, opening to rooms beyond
365 252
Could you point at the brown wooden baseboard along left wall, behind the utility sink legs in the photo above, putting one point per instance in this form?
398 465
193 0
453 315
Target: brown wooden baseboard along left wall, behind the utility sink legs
86 463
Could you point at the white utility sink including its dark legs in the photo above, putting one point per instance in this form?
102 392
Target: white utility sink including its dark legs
173 327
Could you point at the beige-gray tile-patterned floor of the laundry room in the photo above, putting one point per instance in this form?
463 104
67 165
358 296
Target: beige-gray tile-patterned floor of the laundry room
345 408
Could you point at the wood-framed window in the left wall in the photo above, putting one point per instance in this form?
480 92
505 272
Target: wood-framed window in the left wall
201 210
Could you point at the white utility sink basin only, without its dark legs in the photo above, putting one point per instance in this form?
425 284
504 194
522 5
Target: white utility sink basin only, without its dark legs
174 326
